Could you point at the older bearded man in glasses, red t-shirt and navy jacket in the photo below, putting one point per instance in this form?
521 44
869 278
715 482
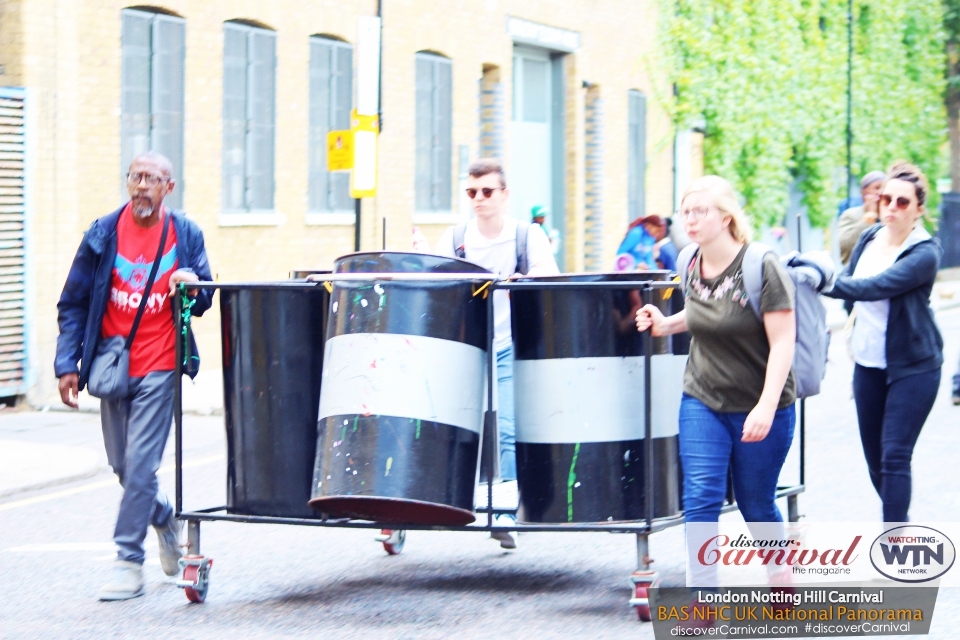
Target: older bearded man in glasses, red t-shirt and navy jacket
115 289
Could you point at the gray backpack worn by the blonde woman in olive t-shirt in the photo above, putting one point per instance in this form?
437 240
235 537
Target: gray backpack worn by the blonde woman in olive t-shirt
809 276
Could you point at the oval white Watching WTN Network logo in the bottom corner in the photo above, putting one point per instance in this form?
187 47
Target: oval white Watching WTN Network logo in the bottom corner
912 553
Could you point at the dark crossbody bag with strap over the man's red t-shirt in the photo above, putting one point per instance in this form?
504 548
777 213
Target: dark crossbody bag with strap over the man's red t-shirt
110 371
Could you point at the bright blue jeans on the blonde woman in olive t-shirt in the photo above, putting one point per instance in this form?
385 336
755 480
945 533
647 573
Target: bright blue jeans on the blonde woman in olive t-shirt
710 445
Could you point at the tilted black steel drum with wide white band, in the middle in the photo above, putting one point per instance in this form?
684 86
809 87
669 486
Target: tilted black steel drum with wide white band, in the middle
401 402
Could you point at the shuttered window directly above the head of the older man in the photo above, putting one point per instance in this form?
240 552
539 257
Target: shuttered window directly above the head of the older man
153 54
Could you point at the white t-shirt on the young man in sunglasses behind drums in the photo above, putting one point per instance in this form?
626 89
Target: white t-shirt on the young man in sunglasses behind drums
500 256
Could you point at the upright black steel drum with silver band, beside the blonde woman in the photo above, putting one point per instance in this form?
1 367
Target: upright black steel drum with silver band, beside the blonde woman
579 396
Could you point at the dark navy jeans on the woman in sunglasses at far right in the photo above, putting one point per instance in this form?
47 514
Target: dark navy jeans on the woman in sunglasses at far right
890 417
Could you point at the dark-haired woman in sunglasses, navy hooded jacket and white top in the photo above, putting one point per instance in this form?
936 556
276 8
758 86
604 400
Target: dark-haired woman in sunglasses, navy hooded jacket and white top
896 344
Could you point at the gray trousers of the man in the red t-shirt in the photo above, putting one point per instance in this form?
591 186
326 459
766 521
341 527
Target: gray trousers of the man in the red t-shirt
135 432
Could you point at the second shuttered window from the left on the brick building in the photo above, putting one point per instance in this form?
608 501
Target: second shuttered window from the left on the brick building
249 118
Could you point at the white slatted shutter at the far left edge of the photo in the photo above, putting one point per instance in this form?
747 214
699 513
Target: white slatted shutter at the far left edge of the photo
13 321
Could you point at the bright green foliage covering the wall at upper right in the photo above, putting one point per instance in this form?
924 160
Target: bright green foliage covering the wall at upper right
770 79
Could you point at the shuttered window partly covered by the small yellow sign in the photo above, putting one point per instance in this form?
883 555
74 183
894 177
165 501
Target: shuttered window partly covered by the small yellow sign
331 99
